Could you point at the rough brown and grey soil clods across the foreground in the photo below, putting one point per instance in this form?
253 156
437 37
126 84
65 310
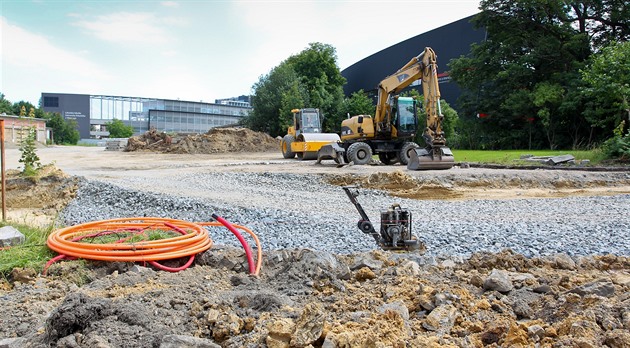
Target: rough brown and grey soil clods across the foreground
307 298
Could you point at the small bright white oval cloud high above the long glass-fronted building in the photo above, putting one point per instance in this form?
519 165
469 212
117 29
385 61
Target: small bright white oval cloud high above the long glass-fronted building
128 27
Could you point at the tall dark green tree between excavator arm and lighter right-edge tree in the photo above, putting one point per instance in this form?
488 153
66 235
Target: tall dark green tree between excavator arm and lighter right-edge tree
532 48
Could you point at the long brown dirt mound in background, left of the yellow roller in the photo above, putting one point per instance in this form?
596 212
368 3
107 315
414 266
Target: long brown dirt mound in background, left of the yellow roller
216 140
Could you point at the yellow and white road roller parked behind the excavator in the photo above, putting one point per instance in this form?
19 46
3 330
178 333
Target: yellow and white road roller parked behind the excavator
304 138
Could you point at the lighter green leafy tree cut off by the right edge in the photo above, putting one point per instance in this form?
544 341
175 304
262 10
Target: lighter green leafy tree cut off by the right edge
607 86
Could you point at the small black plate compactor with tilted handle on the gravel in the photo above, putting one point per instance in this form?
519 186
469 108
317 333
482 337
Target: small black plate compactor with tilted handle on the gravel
395 233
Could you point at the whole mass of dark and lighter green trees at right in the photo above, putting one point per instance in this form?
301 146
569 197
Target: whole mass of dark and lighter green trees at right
550 75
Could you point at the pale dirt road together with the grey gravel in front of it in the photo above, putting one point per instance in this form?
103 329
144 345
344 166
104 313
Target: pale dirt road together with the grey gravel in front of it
289 204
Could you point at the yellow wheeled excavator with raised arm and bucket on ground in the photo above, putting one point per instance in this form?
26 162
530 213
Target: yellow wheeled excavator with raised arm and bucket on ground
391 131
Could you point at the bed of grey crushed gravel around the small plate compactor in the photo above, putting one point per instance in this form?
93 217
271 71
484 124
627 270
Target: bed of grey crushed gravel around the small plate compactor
301 211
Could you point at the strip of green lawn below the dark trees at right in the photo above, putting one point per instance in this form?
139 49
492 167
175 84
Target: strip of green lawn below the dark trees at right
511 157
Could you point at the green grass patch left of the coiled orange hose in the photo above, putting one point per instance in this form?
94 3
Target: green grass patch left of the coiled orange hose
32 254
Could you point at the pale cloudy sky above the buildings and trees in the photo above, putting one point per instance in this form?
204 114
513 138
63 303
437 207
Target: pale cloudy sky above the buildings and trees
195 50
